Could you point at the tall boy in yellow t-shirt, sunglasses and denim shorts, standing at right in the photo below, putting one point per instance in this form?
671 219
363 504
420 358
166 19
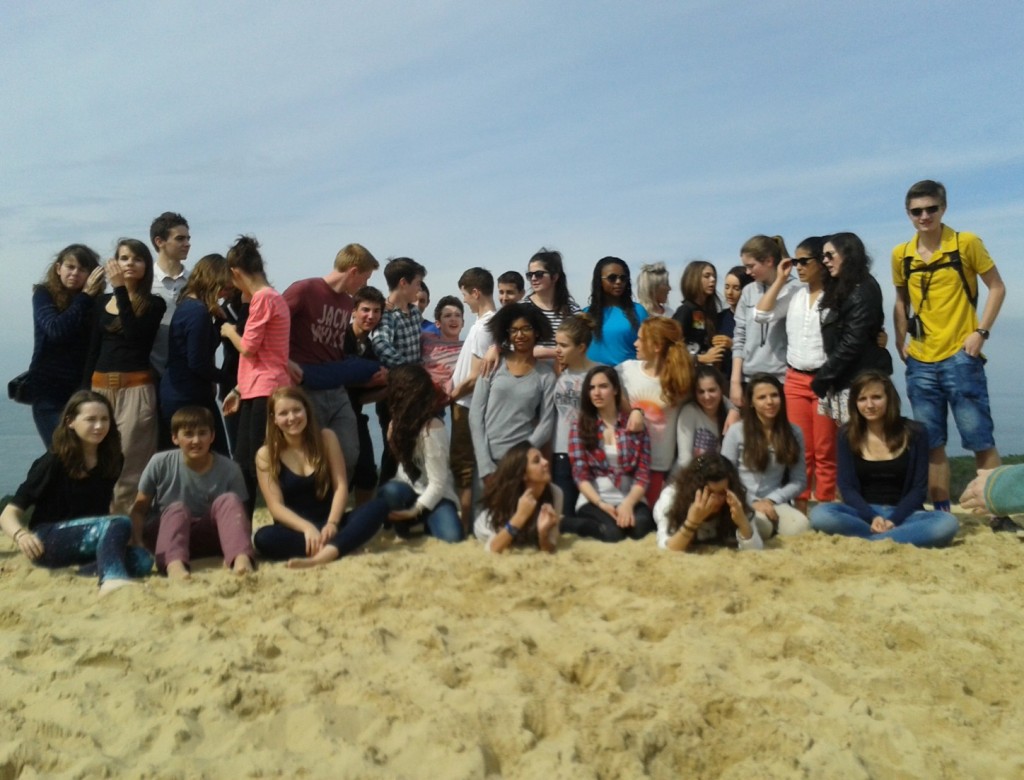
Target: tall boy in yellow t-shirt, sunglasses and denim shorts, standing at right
936 277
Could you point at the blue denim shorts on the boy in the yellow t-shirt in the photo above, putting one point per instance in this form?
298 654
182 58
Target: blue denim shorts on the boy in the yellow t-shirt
958 383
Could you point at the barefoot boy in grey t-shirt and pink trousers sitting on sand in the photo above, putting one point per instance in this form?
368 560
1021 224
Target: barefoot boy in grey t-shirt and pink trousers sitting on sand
193 501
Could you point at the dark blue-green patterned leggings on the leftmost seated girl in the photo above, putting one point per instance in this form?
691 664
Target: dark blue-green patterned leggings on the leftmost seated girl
104 540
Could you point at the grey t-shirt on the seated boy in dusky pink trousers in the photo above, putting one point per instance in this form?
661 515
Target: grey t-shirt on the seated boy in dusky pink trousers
167 480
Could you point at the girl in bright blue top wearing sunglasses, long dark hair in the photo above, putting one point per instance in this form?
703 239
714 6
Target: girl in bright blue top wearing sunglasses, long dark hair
617 316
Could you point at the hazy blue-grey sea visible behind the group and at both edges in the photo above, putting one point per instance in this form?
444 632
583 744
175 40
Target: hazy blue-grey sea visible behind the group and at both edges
20 445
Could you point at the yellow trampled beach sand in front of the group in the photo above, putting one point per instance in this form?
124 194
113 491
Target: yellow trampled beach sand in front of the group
821 658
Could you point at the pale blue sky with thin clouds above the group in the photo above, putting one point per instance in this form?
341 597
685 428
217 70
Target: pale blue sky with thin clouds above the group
470 135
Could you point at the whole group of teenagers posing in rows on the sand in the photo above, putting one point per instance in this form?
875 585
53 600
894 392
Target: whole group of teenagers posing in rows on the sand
716 423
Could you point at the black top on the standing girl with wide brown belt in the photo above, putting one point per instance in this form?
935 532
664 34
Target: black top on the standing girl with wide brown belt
129 349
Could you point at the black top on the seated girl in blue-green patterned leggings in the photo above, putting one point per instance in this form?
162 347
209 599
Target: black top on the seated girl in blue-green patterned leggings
58 497
